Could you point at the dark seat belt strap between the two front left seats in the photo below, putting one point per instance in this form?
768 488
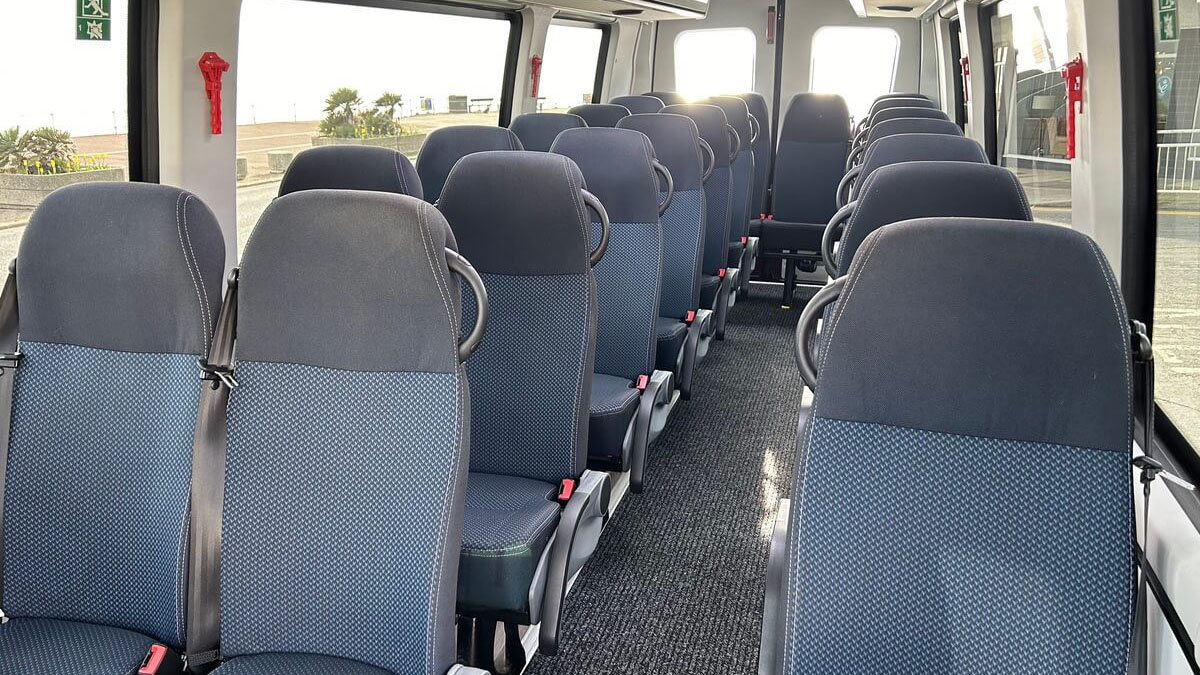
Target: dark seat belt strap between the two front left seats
208 491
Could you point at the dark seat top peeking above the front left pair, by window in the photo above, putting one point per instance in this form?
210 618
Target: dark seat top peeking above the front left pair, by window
352 168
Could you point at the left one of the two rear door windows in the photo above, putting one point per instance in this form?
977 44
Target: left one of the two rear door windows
710 63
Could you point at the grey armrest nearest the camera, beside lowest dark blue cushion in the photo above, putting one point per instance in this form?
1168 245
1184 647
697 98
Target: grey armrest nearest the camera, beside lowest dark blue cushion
575 541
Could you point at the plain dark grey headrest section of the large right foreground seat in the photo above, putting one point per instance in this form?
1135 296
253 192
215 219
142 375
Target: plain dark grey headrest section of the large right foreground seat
988 328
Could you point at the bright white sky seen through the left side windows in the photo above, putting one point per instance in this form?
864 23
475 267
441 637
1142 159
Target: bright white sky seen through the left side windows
292 56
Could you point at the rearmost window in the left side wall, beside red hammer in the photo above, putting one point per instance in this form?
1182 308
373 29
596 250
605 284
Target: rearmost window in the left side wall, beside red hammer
572 59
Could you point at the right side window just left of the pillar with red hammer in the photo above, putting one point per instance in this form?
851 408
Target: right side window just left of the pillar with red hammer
1030 47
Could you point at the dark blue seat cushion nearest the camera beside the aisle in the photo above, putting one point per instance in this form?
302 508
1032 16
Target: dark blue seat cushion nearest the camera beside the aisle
508 524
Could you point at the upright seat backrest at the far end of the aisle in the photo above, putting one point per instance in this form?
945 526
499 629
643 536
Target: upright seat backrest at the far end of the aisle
814 141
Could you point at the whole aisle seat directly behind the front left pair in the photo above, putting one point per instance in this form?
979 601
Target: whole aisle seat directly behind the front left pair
535 515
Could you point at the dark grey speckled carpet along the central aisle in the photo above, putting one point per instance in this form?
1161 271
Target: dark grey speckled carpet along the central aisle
677 583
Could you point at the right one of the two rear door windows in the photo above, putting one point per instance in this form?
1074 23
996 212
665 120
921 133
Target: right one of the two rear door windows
857 63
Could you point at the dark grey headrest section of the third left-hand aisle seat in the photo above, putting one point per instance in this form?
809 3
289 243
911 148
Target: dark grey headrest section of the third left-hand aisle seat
616 163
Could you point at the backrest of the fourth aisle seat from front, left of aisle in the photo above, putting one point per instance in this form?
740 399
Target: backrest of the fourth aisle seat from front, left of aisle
676 144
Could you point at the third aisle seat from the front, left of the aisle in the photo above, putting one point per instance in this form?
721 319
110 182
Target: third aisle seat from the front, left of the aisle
631 399
